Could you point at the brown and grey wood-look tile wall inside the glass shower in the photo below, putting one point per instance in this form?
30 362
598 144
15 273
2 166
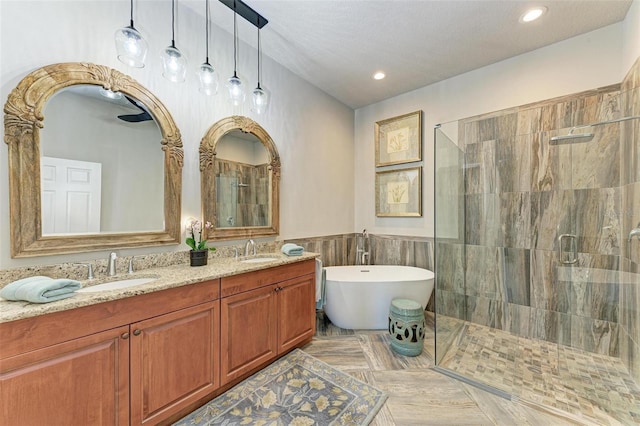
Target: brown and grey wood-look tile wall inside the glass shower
521 193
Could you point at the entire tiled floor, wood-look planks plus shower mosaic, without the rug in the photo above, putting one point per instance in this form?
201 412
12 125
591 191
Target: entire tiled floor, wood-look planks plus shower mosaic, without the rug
551 385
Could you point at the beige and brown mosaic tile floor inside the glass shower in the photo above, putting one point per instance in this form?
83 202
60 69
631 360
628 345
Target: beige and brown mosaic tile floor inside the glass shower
590 385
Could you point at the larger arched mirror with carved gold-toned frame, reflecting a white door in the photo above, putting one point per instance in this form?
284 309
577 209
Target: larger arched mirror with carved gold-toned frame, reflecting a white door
37 145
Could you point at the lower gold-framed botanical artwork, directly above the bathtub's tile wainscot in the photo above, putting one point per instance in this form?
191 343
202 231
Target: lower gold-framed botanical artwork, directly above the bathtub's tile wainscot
399 193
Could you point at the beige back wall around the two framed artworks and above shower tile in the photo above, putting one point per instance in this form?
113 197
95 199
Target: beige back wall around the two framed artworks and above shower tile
582 63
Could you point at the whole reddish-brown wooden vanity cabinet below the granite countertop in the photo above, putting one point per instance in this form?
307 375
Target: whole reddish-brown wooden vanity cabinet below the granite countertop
151 358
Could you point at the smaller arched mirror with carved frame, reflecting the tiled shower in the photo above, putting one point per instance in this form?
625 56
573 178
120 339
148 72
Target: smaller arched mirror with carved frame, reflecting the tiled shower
239 180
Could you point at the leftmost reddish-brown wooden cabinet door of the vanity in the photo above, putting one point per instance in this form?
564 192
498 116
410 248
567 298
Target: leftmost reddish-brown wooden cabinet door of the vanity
84 381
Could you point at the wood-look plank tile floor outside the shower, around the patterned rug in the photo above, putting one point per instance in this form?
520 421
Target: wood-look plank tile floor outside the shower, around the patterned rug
420 396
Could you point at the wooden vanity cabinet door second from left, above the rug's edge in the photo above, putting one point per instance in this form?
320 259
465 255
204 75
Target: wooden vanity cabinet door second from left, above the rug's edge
173 361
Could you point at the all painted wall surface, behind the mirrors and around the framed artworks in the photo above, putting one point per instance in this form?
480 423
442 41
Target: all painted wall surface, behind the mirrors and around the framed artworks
326 149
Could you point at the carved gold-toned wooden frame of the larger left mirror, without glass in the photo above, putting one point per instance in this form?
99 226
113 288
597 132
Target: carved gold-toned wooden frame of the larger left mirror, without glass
22 123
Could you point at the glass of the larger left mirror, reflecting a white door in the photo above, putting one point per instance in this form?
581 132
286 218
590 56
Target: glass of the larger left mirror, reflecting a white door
118 133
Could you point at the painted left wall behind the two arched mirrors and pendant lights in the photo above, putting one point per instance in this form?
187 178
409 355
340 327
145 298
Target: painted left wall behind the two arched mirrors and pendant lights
312 131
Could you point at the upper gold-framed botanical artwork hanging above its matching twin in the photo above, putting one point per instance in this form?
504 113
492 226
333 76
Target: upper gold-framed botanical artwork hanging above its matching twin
399 139
